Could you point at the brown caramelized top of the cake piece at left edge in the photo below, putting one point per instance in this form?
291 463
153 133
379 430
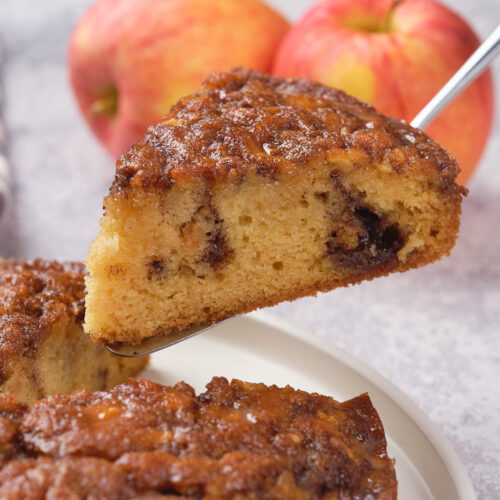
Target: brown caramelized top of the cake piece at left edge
34 296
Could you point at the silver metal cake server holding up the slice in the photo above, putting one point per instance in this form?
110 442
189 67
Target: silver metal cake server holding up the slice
472 68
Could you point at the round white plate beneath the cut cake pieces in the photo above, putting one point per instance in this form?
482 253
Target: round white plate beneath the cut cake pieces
261 348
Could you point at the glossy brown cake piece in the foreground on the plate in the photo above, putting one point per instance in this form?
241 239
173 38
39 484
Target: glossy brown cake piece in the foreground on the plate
236 440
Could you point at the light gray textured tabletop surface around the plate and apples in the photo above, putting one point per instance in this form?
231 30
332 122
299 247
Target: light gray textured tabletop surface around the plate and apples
434 332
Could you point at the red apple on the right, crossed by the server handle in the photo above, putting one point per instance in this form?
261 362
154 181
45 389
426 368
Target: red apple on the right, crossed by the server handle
395 55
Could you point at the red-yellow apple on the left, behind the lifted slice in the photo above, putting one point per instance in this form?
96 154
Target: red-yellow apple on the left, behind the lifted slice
129 60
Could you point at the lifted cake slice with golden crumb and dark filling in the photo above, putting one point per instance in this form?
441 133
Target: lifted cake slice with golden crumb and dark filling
257 190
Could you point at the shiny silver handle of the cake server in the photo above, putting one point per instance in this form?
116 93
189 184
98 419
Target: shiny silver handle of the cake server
472 68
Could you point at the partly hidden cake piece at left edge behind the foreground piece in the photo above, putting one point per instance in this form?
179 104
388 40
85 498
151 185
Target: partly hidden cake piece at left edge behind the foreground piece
43 349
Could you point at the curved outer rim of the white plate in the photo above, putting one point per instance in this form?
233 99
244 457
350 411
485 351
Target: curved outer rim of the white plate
441 443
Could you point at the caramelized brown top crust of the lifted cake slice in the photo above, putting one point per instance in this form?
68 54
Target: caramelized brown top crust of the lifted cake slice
245 120
